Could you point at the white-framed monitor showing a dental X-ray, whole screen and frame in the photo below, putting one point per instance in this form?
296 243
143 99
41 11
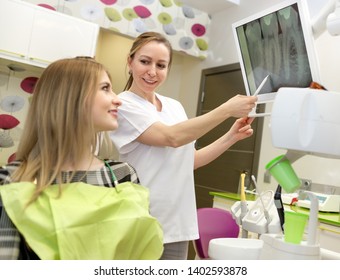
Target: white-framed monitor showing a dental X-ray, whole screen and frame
277 42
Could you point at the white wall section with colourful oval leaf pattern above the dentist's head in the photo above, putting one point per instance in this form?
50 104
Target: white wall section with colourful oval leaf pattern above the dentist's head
184 26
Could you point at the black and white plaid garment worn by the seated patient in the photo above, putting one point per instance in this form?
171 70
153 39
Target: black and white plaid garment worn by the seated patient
12 245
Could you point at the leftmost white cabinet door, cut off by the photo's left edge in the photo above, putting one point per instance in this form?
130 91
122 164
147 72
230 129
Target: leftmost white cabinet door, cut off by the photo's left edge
15 28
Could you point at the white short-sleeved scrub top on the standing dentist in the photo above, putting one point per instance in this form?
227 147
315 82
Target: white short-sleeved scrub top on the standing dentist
167 172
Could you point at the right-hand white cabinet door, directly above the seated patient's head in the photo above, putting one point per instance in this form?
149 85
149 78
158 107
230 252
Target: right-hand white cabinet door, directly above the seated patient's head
55 36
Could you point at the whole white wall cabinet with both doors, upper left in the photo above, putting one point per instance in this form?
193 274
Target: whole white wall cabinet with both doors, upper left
35 35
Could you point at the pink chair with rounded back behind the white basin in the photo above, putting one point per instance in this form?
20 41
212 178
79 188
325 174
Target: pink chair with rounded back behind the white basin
213 223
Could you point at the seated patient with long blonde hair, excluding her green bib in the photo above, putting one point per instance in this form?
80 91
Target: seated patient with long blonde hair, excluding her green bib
72 104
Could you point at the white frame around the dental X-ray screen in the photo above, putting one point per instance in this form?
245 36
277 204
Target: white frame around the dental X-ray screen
307 35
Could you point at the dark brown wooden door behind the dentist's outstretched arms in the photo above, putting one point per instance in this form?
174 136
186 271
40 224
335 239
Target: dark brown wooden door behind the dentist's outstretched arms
222 175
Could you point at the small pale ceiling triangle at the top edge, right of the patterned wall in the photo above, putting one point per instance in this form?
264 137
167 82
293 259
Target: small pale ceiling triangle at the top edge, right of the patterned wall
211 6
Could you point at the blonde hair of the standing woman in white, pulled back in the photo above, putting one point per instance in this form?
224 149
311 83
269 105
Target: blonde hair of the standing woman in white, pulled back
141 41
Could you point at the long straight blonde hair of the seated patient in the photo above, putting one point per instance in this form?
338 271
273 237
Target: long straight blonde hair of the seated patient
59 126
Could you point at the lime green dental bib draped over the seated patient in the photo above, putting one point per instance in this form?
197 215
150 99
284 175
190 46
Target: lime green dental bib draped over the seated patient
86 222
